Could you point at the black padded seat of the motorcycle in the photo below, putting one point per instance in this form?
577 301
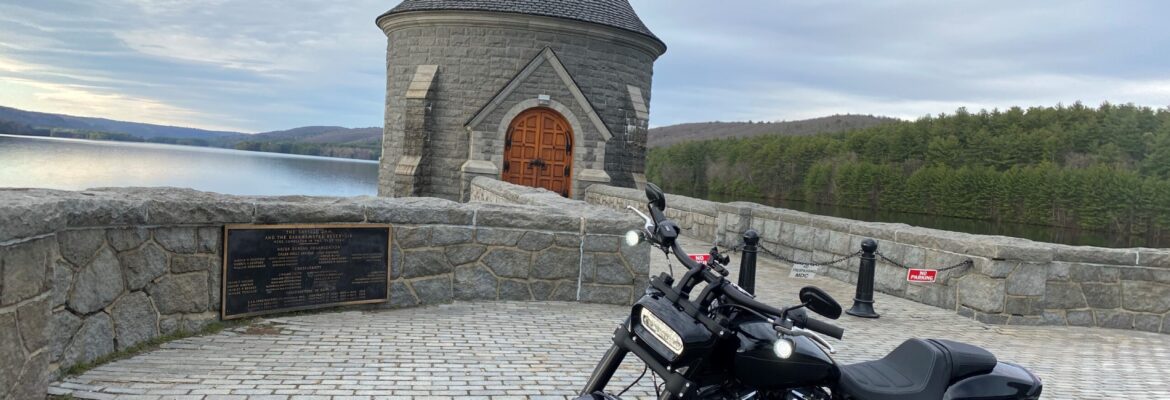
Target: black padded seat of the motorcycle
918 370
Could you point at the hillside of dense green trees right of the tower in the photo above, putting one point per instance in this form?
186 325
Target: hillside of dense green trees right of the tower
1105 168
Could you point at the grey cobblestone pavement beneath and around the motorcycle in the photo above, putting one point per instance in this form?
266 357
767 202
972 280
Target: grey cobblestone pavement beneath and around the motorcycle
535 350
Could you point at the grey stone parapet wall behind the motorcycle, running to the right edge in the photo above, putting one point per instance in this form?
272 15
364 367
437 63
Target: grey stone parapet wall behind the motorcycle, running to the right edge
1014 281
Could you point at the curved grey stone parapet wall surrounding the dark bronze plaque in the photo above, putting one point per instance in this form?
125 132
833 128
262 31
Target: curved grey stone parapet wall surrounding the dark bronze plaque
86 274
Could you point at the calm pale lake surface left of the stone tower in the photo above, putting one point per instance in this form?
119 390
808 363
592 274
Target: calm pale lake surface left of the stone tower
77 164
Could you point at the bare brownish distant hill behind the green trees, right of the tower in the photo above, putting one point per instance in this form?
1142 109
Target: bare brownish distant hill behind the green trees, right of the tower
672 135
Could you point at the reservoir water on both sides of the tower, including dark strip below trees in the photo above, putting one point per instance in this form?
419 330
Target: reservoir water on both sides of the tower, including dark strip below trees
75 164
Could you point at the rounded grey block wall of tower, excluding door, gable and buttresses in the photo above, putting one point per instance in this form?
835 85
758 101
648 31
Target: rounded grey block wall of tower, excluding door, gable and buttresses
477 60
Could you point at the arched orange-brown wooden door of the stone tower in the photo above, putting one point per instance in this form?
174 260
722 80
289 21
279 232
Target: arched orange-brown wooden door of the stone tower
539 151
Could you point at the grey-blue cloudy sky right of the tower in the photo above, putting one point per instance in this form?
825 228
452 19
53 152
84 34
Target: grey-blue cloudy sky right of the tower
788 60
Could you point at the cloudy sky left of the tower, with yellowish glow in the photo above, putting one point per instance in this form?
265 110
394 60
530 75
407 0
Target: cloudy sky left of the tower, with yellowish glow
254 66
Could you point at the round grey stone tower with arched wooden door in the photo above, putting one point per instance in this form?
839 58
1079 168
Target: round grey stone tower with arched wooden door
552 94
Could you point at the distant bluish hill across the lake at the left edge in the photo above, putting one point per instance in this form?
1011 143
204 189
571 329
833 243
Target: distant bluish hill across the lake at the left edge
146 132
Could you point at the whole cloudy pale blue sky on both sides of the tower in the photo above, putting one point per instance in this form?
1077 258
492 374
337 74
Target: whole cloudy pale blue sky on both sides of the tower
264 65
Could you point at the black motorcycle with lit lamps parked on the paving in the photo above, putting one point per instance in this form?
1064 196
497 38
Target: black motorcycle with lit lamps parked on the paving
725 344
